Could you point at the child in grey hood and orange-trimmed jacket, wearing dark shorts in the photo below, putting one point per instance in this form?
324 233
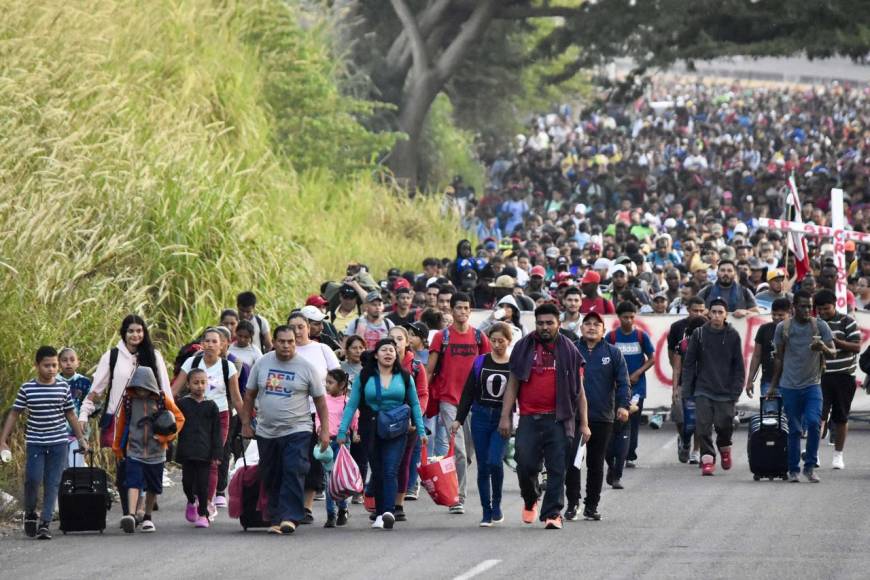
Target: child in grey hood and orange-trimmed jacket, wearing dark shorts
142 437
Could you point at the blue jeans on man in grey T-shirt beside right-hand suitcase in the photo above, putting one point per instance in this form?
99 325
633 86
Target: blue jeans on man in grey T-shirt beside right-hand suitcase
804 408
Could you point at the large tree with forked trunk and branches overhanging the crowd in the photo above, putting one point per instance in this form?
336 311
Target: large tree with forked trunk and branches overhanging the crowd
411 49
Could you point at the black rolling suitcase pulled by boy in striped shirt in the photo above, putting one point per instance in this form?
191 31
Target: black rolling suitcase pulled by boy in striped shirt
84 499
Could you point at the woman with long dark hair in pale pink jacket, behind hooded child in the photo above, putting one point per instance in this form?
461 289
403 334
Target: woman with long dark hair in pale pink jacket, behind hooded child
114 371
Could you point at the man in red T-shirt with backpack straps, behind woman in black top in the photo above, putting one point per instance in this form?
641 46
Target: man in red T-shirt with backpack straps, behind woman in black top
451 356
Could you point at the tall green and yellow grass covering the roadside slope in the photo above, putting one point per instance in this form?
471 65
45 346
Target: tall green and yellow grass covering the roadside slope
160 156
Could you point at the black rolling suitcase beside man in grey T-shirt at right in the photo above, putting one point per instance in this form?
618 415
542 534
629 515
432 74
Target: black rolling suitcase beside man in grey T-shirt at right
768 441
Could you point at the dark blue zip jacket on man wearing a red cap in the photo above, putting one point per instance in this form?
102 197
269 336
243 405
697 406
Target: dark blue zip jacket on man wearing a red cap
605 380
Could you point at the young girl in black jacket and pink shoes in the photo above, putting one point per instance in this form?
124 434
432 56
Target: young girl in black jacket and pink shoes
199 446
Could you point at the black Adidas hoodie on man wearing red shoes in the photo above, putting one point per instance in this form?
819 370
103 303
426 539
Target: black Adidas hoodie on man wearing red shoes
713 366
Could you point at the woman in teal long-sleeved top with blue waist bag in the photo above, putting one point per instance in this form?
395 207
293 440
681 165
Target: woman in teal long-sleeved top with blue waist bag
386 397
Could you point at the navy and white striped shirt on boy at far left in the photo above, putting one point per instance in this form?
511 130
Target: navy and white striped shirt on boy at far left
46 407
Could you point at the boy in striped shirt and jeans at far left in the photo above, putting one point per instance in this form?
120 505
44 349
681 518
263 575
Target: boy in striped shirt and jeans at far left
49 407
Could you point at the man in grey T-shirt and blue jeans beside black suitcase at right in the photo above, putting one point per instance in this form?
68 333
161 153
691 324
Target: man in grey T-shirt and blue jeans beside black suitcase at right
801 344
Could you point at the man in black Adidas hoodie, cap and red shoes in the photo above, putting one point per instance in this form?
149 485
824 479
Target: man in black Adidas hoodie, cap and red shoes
714 374
